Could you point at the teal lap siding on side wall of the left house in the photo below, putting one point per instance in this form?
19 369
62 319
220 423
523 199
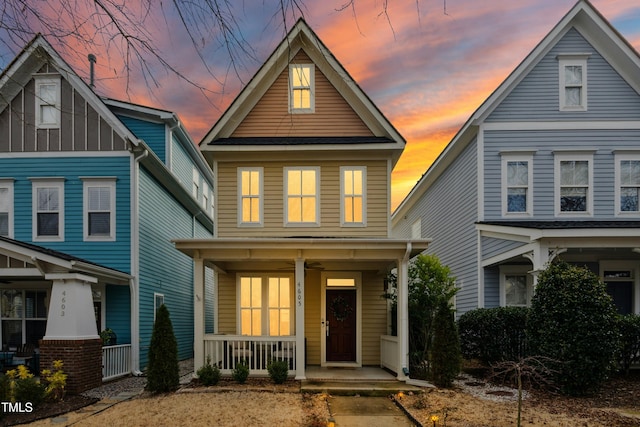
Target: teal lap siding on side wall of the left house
162 219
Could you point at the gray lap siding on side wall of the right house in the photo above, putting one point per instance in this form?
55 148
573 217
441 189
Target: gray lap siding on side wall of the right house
448 212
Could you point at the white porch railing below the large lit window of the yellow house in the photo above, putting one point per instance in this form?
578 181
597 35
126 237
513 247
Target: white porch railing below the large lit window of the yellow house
226 351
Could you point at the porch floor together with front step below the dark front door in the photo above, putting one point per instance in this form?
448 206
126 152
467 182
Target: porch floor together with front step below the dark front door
365 381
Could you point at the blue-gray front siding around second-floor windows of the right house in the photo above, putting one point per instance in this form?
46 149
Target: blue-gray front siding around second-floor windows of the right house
603 144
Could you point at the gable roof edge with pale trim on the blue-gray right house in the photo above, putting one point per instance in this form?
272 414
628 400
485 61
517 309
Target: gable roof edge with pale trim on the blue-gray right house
590 23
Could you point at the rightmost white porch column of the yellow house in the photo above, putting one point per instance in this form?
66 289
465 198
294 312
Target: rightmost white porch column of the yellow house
403 316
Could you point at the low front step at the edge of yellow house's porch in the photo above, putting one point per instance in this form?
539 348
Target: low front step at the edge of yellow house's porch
360 388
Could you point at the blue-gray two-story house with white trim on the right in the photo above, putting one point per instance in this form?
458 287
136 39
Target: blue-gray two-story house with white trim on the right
548 166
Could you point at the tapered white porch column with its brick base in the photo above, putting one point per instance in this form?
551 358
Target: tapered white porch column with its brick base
72 335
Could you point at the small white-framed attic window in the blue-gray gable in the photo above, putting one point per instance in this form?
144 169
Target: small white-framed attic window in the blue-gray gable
573 82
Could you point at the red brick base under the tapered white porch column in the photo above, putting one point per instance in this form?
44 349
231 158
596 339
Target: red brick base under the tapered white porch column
82 361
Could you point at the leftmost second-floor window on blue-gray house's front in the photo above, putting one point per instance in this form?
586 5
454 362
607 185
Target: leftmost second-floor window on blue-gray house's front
517 183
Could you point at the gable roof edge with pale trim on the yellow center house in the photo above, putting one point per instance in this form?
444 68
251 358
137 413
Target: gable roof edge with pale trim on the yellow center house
301 37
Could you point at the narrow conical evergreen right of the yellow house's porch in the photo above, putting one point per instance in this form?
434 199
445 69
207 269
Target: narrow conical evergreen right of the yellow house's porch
445 355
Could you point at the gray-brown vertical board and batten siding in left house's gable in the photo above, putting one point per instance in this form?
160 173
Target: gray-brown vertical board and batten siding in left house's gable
81 127
